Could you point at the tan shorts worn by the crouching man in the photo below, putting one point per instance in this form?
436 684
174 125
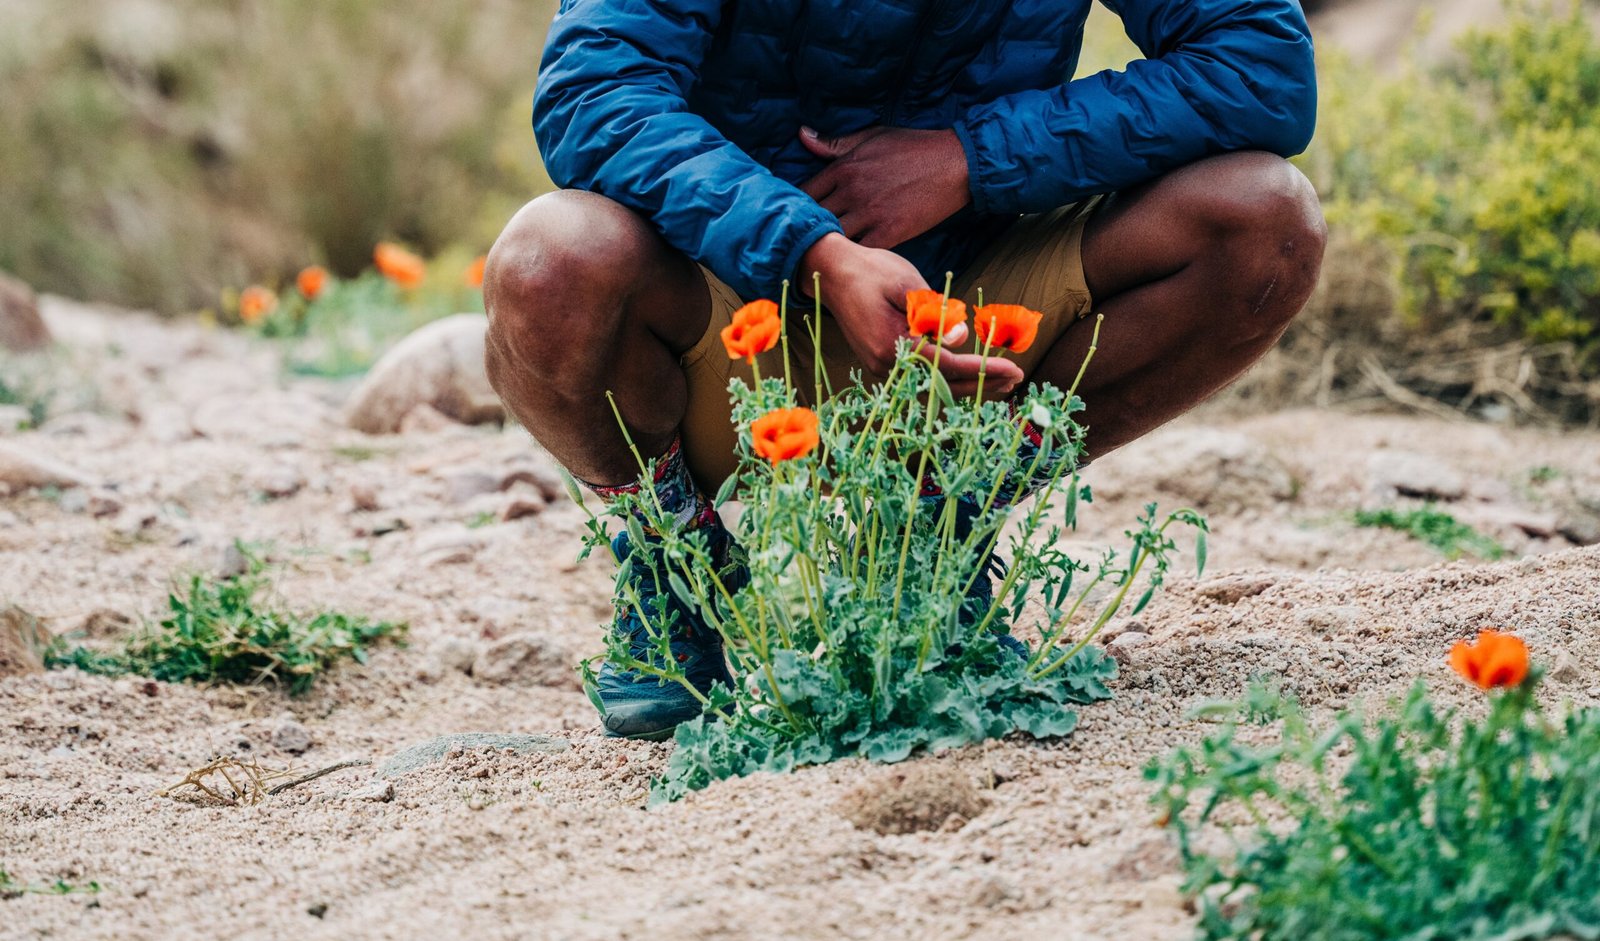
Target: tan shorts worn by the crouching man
1036 263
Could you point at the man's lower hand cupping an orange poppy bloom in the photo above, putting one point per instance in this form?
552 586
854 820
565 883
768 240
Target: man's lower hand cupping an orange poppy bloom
866 289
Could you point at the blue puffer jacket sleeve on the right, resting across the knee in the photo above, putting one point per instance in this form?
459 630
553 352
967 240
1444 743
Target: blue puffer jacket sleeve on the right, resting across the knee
1218 76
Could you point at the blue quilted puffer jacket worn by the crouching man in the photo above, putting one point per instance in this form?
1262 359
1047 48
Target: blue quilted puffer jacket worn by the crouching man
687 111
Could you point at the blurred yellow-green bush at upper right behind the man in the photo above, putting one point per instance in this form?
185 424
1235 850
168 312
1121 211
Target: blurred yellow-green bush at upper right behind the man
1478 178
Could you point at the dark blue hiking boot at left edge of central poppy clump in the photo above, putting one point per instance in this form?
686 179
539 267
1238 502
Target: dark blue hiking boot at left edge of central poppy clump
636 705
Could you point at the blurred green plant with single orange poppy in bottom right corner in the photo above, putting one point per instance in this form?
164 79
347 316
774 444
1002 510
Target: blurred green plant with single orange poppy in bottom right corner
1423 825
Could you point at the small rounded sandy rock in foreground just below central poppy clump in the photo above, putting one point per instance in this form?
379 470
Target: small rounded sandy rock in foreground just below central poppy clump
914 798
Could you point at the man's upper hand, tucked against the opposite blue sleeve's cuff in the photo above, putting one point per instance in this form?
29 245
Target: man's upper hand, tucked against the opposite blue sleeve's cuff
889 185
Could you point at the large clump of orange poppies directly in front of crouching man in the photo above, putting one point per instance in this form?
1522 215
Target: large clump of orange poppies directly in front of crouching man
852 614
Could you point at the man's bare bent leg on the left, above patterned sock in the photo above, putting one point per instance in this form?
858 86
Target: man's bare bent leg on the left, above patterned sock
585 298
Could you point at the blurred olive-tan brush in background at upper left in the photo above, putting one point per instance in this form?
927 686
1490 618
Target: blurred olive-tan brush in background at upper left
159 151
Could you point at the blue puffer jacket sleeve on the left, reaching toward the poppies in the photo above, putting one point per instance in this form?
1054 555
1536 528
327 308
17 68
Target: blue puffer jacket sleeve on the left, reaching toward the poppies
612 116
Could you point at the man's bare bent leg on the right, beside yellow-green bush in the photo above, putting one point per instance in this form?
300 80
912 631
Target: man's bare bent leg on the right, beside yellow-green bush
1198 274
